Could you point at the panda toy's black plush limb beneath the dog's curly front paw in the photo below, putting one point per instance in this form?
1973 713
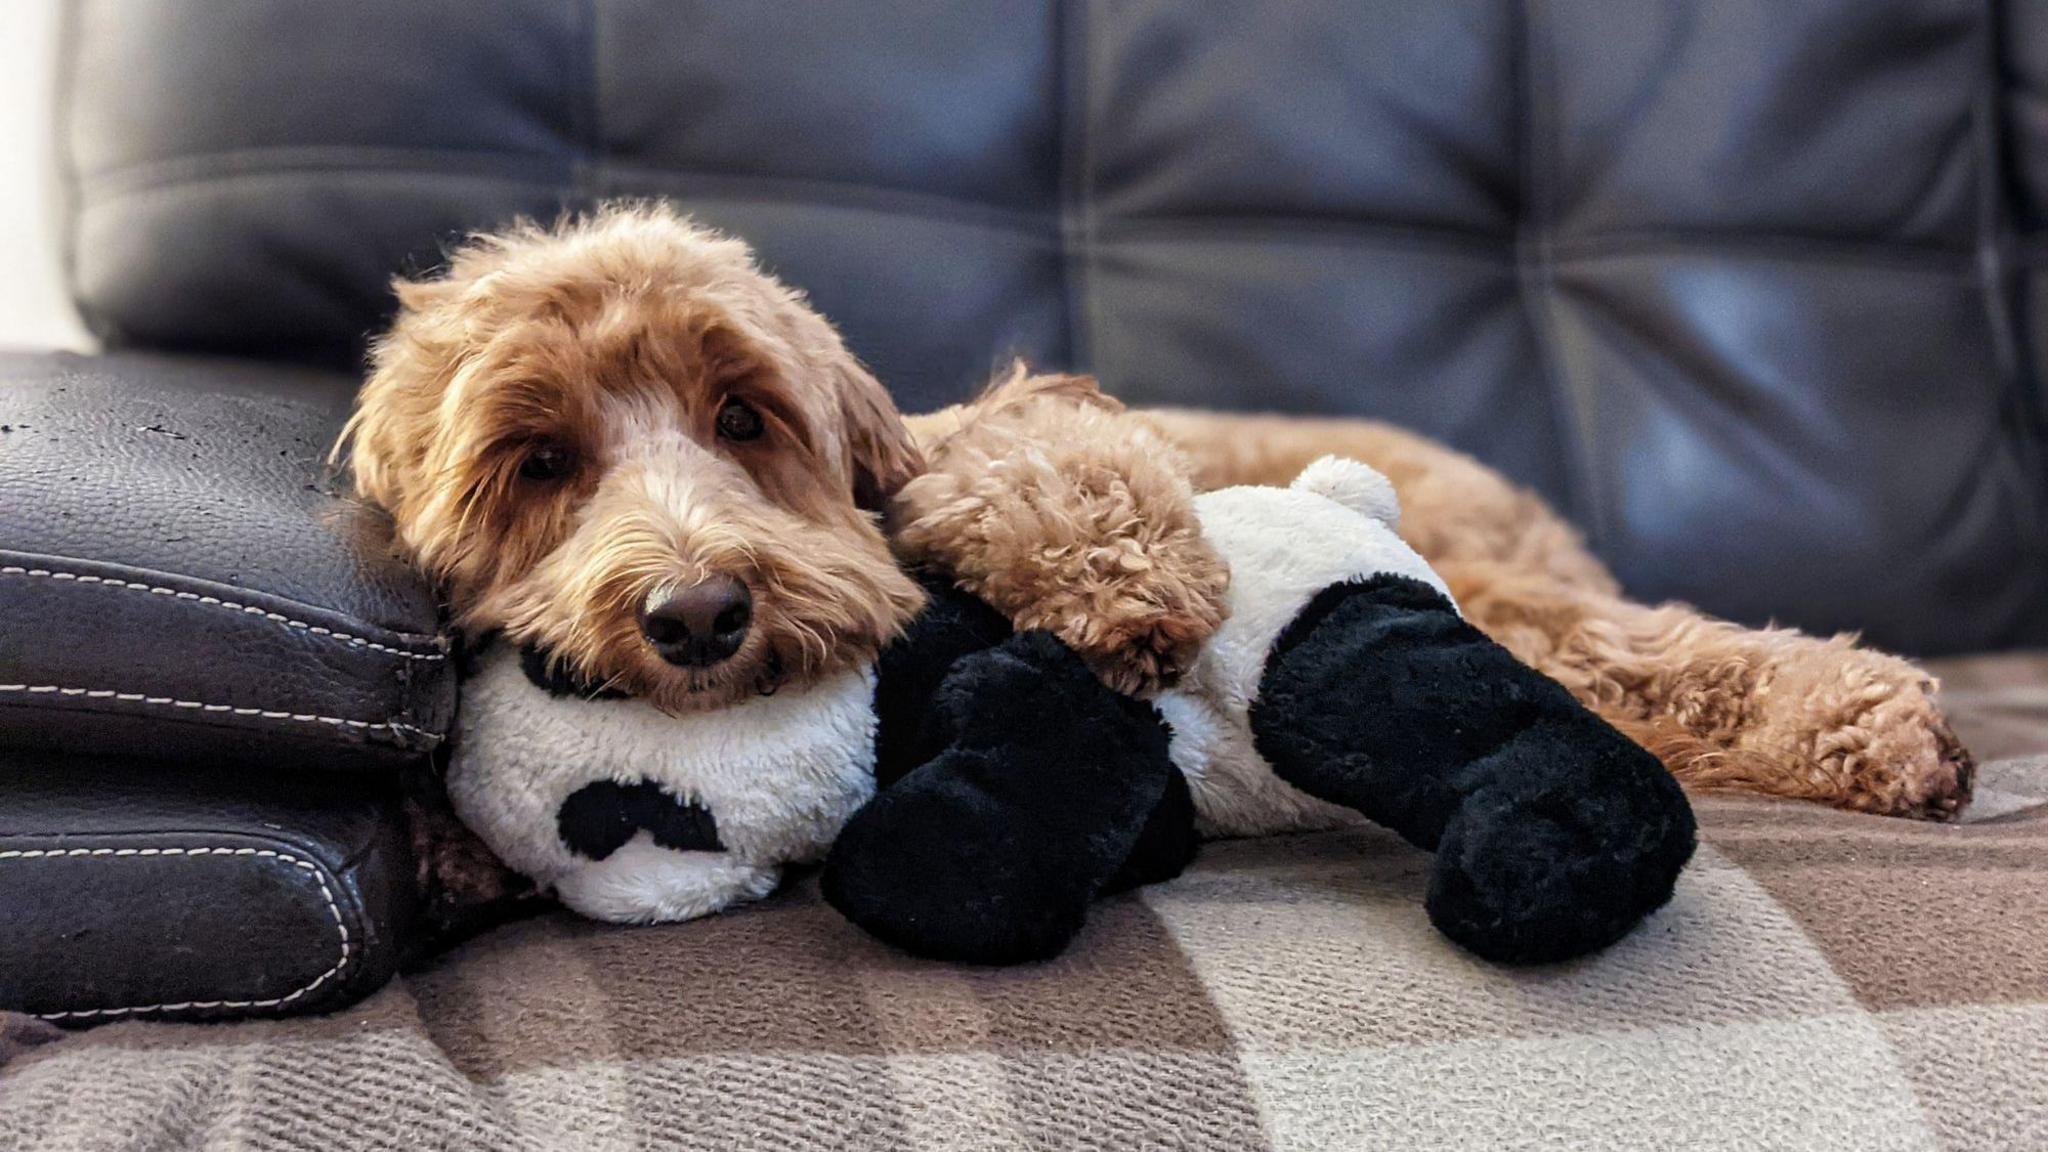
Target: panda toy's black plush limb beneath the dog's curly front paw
994 848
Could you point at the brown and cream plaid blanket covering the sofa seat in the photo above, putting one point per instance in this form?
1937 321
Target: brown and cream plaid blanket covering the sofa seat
1822 981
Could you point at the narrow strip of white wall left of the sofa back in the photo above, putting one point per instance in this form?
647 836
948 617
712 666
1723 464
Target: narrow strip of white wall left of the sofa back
34 306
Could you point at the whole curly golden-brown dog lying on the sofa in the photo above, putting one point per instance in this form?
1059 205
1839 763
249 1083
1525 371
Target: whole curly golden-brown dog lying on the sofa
626 444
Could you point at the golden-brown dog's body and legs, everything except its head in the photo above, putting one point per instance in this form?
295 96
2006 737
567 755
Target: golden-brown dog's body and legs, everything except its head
1730 708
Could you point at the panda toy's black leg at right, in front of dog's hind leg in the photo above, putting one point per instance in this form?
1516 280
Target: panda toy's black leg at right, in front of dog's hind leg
1553 831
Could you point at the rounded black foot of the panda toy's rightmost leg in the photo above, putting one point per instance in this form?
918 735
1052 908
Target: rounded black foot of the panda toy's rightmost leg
1562 856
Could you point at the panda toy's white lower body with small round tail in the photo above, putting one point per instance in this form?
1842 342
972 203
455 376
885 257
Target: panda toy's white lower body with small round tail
1285 546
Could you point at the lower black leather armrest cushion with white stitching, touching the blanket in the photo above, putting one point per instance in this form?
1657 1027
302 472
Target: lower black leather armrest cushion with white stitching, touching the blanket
196 895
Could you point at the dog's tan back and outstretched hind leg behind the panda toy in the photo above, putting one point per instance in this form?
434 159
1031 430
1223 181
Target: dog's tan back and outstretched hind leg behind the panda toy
1723 706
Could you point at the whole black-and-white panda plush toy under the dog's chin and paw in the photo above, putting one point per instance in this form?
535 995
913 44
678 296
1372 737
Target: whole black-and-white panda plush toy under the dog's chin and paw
976 788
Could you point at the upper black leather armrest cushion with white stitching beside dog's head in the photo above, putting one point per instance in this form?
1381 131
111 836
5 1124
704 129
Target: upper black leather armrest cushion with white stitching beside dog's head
181 579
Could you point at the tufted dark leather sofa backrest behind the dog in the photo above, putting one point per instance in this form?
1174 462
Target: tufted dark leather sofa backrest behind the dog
1734 282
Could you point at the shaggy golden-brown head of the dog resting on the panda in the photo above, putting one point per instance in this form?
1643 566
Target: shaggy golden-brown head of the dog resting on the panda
626 444
